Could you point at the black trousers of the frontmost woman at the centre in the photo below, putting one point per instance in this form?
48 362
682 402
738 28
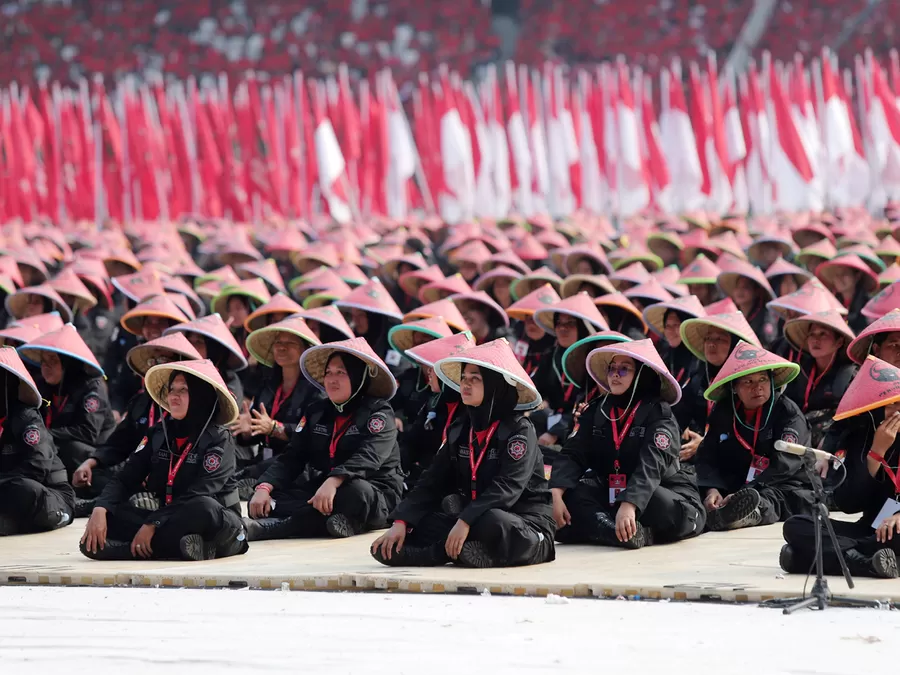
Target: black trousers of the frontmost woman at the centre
510 539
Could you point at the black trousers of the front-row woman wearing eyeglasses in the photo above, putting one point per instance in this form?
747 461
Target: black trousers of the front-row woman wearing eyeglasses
669 515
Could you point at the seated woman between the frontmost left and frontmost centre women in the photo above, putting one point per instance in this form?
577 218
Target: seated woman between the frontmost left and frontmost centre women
346 454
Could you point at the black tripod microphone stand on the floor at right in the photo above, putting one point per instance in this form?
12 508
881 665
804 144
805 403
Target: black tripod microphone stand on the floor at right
820 596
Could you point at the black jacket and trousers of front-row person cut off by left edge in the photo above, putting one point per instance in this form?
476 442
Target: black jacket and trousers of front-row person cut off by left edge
35 495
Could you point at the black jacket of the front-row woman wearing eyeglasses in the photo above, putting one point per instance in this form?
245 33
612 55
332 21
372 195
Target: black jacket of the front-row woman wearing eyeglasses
648 455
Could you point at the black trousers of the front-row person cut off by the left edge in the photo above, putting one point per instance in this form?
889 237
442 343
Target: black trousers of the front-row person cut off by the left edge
36 507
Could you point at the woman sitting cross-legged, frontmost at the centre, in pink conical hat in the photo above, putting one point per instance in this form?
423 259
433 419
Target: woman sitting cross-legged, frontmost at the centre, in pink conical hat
484 501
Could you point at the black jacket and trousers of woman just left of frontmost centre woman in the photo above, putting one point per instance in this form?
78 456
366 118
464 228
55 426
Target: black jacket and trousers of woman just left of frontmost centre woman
359 445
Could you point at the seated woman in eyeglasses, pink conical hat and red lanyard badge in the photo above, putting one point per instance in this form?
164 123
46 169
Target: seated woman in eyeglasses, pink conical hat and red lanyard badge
640 492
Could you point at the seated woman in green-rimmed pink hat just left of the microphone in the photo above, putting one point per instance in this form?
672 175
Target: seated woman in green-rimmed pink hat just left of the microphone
744 481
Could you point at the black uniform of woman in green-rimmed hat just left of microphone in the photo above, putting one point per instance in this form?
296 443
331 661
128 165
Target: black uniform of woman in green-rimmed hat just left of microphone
732 458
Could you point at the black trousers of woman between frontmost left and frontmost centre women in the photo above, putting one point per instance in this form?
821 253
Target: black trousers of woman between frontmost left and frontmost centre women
357 499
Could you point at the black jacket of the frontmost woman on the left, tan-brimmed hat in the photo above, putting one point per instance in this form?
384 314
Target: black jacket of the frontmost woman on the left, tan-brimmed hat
206 472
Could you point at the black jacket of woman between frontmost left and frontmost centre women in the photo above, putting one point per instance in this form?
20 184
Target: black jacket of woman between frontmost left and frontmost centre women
367 450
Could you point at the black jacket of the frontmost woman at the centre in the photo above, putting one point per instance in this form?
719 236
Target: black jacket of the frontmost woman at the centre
510 478
